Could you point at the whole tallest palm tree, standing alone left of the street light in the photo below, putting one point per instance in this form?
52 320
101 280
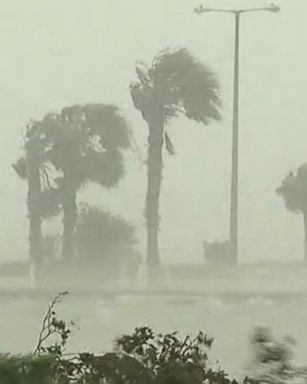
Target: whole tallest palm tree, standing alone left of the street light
175 84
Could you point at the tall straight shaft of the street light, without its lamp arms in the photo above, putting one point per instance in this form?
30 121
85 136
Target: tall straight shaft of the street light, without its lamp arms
235 147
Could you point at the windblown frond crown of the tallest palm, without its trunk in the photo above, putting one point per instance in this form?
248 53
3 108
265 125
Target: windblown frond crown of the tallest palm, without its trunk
181 84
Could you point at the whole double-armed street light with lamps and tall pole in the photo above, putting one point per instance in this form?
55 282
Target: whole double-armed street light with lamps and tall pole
235 124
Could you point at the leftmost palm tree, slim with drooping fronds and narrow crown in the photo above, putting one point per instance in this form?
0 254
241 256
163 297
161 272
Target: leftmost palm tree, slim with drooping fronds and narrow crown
42 196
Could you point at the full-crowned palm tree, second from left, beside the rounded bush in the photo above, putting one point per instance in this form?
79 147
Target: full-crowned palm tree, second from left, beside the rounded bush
86 145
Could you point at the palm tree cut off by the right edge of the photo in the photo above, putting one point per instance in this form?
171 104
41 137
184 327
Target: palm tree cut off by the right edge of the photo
294 192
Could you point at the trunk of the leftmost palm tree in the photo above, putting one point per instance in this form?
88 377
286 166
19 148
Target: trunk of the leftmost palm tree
35 225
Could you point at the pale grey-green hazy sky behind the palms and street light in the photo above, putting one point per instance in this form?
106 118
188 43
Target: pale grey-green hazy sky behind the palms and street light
59 52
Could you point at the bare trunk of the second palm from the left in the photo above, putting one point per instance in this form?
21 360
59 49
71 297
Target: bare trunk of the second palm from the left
69 218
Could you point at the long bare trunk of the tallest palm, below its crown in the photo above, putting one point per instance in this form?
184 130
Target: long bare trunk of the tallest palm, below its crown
154 177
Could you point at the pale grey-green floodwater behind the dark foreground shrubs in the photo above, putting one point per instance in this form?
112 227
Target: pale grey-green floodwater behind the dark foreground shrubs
229 319
